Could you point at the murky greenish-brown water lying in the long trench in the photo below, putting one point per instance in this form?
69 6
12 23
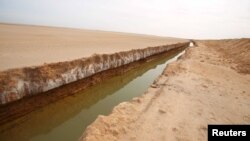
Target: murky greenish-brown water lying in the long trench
66 119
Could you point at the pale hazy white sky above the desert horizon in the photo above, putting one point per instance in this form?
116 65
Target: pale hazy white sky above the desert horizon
176 18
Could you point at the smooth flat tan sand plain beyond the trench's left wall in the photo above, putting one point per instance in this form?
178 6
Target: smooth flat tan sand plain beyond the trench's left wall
22 45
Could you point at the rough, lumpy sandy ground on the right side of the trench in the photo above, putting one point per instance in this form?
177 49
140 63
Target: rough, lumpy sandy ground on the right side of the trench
208 85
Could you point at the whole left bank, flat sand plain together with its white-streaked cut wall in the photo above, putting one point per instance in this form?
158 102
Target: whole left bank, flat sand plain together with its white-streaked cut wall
23 46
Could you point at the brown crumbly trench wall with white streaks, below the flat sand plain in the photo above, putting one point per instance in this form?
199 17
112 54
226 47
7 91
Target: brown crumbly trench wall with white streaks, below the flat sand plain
18 83
